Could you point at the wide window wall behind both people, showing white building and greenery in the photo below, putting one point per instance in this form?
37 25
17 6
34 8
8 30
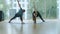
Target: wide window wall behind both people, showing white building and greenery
47 8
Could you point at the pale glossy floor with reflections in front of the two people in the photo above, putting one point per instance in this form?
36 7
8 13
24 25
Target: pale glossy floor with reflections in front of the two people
50 27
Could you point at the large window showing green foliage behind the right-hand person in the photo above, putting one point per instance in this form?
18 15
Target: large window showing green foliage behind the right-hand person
47 8
